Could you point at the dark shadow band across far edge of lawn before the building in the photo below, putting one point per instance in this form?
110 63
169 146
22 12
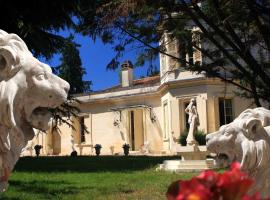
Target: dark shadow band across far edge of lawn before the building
89 163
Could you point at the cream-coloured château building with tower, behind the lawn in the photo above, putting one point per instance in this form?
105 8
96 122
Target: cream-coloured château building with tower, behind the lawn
147 113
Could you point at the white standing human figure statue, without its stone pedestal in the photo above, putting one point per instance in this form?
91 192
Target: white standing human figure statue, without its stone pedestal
193 120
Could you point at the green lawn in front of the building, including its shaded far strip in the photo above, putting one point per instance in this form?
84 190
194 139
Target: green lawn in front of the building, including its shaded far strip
89 178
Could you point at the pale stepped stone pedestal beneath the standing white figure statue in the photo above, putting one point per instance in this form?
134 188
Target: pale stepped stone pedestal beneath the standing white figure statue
193 159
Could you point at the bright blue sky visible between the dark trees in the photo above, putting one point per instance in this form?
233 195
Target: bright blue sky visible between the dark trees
95 56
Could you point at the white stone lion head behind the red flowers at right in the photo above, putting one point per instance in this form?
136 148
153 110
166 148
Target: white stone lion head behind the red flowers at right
247 140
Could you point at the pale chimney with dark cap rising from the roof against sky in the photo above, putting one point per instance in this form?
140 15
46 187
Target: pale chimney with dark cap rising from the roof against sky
127 74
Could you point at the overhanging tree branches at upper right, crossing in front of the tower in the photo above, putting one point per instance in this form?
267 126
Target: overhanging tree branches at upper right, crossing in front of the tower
234 36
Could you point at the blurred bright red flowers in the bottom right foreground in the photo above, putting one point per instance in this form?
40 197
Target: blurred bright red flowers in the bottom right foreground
231 185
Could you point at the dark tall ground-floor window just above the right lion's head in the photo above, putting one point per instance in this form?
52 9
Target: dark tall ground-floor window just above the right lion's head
225 111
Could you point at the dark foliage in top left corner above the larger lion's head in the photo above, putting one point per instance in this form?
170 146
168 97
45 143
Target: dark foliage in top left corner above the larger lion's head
38 22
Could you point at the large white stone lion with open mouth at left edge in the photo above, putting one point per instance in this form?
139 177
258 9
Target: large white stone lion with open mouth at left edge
28 89
